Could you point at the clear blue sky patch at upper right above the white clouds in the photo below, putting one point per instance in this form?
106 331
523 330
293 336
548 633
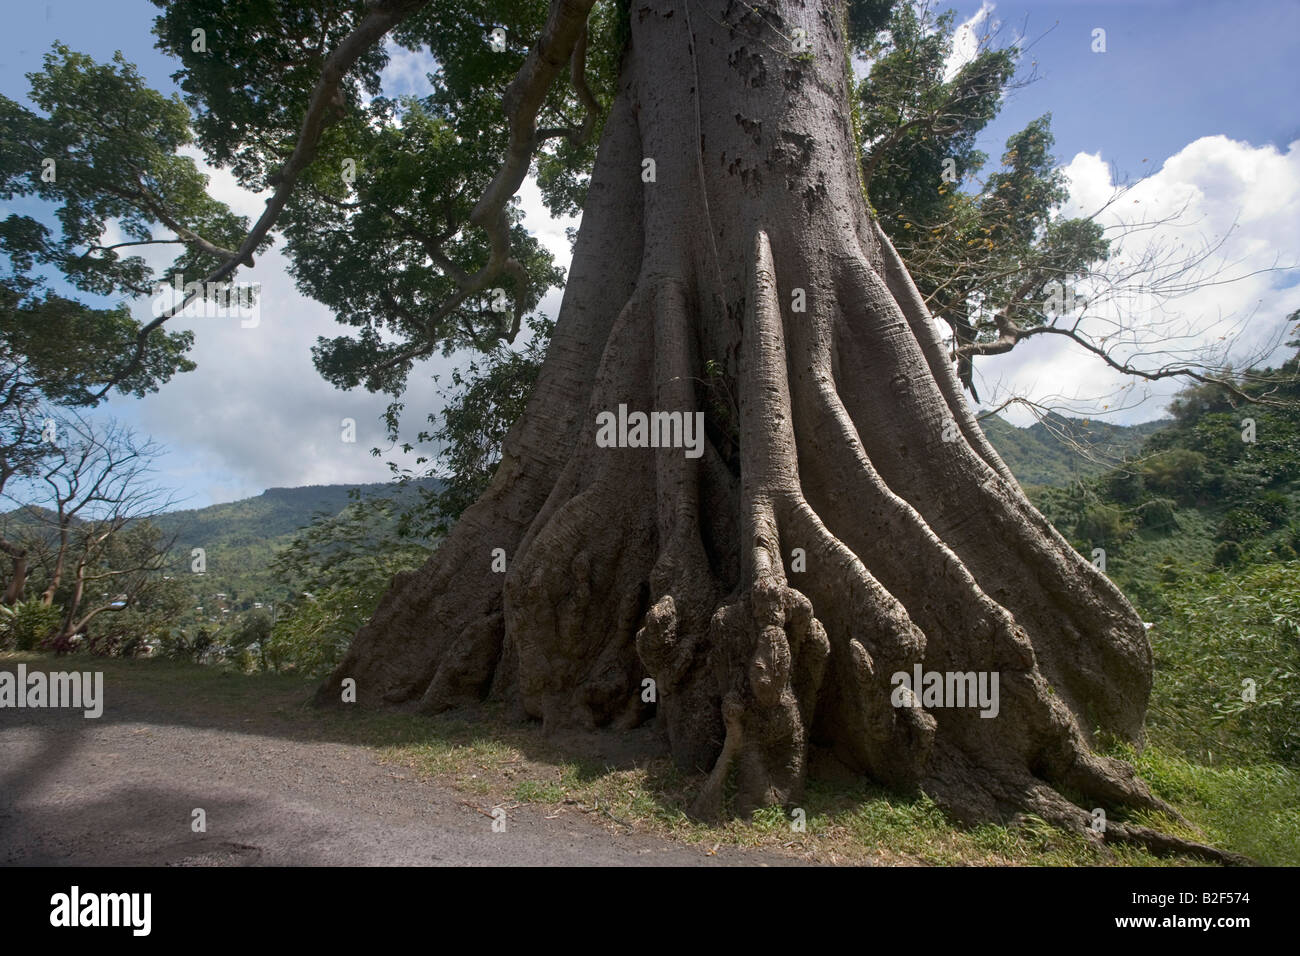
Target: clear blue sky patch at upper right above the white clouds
1173 71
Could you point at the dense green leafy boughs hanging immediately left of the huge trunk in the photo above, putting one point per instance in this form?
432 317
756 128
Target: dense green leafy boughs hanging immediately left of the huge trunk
421 248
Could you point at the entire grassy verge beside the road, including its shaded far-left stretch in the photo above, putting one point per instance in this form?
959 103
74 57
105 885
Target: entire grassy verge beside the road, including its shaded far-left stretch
493 763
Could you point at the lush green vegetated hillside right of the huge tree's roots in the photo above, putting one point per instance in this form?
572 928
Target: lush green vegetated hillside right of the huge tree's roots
1201 530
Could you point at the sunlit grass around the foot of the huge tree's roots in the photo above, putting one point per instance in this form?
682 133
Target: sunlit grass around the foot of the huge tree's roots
1253 811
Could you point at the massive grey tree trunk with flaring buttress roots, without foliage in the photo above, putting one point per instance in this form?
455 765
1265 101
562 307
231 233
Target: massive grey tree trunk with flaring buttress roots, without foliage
847 521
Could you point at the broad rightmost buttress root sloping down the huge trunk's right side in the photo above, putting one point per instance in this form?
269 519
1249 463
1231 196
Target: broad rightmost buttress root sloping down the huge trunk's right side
1102 661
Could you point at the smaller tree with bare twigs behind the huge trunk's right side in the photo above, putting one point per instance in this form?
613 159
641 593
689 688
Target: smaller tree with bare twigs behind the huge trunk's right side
994 257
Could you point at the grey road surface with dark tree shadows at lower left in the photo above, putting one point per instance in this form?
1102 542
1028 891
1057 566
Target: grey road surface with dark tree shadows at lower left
124 789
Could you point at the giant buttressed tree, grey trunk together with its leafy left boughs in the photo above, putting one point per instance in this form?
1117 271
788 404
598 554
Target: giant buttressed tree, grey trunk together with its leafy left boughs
846 521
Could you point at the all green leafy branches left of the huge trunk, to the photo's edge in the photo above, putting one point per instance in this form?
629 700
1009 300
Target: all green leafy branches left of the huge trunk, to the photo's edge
419 248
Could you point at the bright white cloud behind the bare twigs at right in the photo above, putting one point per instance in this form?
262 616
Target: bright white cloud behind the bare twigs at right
1241 198
